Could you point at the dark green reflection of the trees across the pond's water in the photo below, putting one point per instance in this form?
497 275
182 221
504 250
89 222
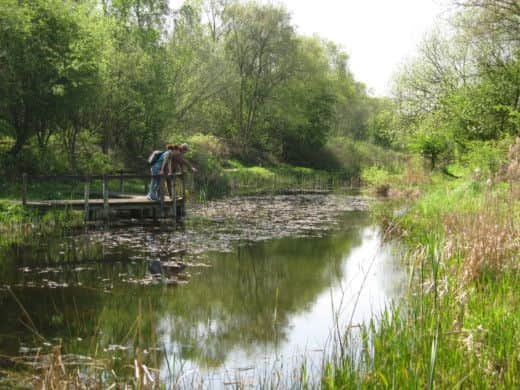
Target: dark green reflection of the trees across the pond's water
247 298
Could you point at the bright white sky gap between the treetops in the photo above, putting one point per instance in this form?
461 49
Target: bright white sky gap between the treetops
378 35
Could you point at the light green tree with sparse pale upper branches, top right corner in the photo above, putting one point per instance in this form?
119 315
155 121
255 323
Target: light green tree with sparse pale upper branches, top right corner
461 92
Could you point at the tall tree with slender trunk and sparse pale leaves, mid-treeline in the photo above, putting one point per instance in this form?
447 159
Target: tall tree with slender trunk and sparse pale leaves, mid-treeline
260 42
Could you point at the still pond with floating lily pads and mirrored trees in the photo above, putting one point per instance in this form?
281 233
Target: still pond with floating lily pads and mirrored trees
254 290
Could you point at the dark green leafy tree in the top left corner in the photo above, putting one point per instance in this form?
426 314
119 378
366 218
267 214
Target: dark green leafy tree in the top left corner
50 66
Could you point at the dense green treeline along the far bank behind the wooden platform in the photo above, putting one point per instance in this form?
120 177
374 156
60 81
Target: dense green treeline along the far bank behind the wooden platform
86 85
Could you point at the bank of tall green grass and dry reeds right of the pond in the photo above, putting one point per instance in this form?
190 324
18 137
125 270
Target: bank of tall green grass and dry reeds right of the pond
457 326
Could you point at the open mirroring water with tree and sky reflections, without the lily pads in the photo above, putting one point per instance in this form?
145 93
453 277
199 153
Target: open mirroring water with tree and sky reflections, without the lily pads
258 307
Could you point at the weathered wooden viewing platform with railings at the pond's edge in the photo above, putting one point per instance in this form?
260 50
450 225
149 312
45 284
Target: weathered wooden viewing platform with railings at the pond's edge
115 205
